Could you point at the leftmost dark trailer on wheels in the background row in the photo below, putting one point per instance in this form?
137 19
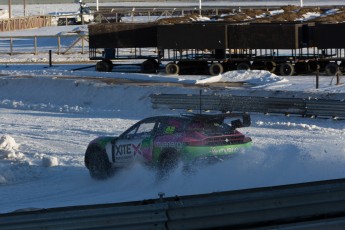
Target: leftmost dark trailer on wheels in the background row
131 38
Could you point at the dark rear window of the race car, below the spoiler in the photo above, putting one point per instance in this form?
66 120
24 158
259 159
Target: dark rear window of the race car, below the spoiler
210 127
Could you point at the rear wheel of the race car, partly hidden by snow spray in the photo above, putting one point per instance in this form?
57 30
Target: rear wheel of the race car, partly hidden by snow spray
168 161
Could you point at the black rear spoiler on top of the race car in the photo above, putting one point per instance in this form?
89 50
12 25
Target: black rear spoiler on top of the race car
246 120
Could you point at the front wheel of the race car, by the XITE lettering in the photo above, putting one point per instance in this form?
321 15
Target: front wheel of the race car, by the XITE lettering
96 160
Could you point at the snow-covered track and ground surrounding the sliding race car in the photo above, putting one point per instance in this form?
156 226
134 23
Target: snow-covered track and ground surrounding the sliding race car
49 114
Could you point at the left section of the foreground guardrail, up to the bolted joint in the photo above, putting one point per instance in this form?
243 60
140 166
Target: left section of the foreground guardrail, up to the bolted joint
151 216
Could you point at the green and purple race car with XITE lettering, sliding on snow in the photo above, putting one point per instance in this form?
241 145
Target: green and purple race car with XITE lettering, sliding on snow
163 141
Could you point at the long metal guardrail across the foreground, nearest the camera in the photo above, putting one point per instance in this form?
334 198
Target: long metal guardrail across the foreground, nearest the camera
313 205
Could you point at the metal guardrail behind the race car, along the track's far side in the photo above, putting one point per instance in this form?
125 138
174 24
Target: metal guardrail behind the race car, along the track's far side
225 103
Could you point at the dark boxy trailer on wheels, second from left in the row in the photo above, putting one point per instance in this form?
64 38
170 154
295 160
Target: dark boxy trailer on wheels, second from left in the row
193 48
